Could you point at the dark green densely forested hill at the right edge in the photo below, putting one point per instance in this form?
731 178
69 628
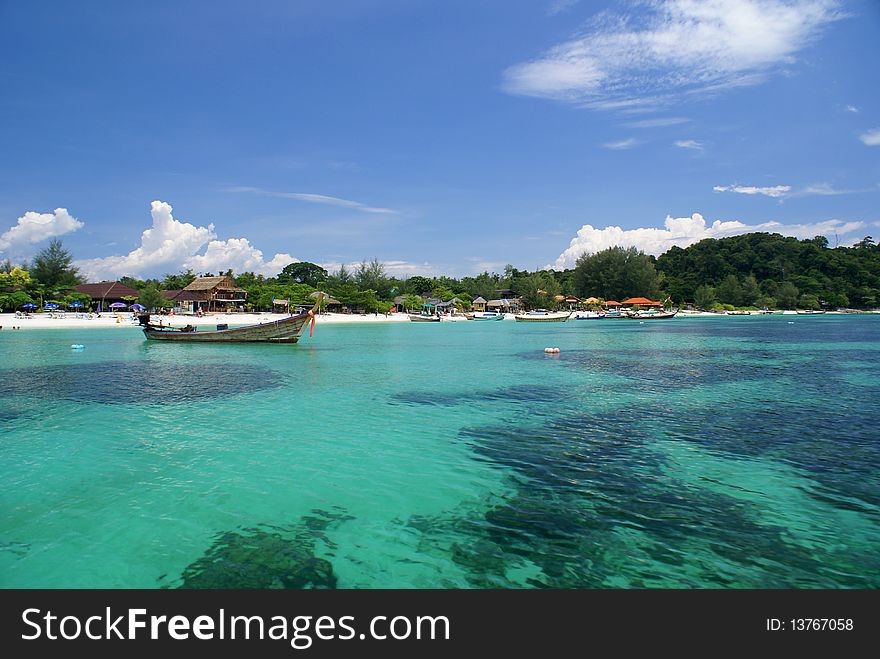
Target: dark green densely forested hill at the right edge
767 269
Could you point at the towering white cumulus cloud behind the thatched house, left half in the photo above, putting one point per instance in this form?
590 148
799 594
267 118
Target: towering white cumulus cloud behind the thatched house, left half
170 244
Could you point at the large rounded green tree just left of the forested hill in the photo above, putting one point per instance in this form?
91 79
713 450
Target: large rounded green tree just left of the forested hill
615 273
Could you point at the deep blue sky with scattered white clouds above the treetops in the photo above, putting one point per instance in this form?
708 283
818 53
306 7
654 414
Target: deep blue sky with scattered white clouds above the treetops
439 136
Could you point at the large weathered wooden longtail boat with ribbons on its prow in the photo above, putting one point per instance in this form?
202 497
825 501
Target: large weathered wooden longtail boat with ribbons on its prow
286 330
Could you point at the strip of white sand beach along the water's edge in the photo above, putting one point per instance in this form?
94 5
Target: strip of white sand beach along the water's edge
80 321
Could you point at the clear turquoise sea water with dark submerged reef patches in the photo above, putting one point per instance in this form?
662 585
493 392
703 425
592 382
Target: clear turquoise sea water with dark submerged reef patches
735 452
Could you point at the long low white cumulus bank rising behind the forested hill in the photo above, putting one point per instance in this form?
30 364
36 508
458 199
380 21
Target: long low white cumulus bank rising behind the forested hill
684 231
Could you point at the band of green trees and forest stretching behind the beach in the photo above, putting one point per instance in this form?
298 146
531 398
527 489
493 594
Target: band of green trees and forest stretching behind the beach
753 270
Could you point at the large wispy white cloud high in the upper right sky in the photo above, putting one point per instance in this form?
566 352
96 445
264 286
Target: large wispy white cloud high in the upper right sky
676 48
